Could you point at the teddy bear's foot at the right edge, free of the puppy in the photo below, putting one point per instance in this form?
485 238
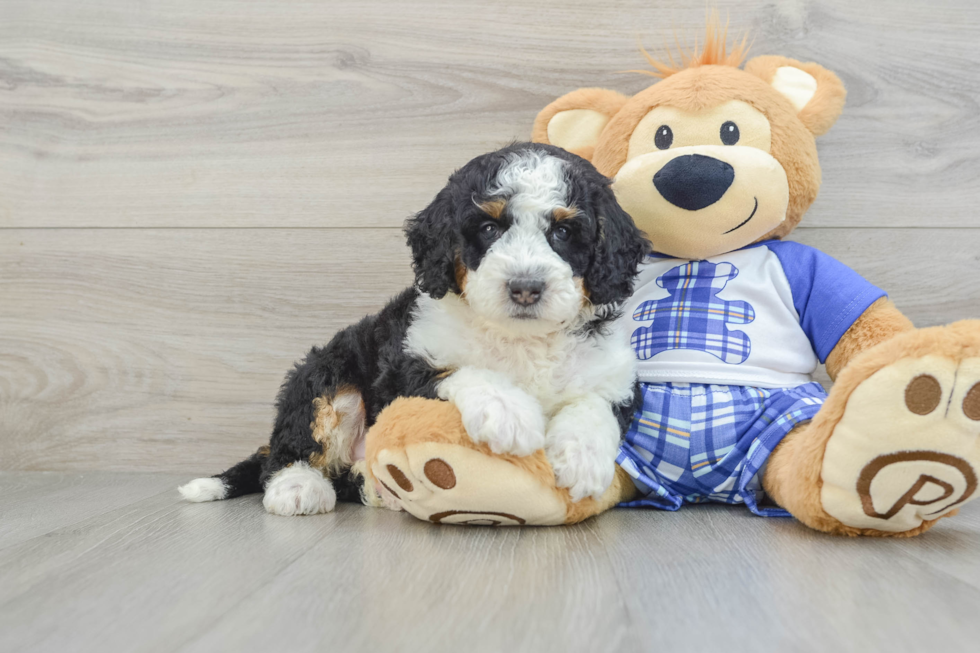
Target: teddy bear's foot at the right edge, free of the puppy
905 450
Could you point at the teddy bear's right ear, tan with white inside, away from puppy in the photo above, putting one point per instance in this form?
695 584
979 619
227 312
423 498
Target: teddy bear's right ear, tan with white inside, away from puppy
816 93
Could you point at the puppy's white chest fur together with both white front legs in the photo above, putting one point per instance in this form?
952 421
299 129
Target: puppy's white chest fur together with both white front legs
572 379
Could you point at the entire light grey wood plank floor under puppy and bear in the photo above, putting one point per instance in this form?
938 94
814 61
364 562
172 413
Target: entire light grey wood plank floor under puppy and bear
116 562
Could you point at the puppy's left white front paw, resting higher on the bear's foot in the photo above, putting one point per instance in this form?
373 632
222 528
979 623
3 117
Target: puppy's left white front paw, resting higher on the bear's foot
508 419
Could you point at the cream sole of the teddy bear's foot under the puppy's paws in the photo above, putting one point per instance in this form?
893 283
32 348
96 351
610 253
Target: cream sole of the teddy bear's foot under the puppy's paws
451 484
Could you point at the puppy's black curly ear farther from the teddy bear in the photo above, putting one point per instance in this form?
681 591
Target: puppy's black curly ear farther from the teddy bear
434 240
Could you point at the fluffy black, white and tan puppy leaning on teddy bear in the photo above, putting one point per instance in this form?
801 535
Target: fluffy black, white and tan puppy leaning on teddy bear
521 263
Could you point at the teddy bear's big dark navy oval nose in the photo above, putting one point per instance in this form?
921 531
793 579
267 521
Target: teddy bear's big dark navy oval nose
694 181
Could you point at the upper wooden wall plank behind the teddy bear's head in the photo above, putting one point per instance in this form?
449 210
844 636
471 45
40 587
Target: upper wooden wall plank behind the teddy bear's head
352 112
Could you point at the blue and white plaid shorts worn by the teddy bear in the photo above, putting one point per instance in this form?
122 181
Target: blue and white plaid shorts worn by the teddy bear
698 443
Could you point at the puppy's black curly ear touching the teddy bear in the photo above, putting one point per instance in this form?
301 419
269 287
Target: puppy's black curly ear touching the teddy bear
619 250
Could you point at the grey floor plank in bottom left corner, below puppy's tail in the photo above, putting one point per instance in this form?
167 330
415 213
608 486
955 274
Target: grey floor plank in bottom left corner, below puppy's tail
145 576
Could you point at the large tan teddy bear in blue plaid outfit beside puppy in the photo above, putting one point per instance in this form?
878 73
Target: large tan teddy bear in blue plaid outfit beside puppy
717 163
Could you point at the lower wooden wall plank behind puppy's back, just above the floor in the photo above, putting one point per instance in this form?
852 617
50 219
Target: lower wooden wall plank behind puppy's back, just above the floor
162 350
